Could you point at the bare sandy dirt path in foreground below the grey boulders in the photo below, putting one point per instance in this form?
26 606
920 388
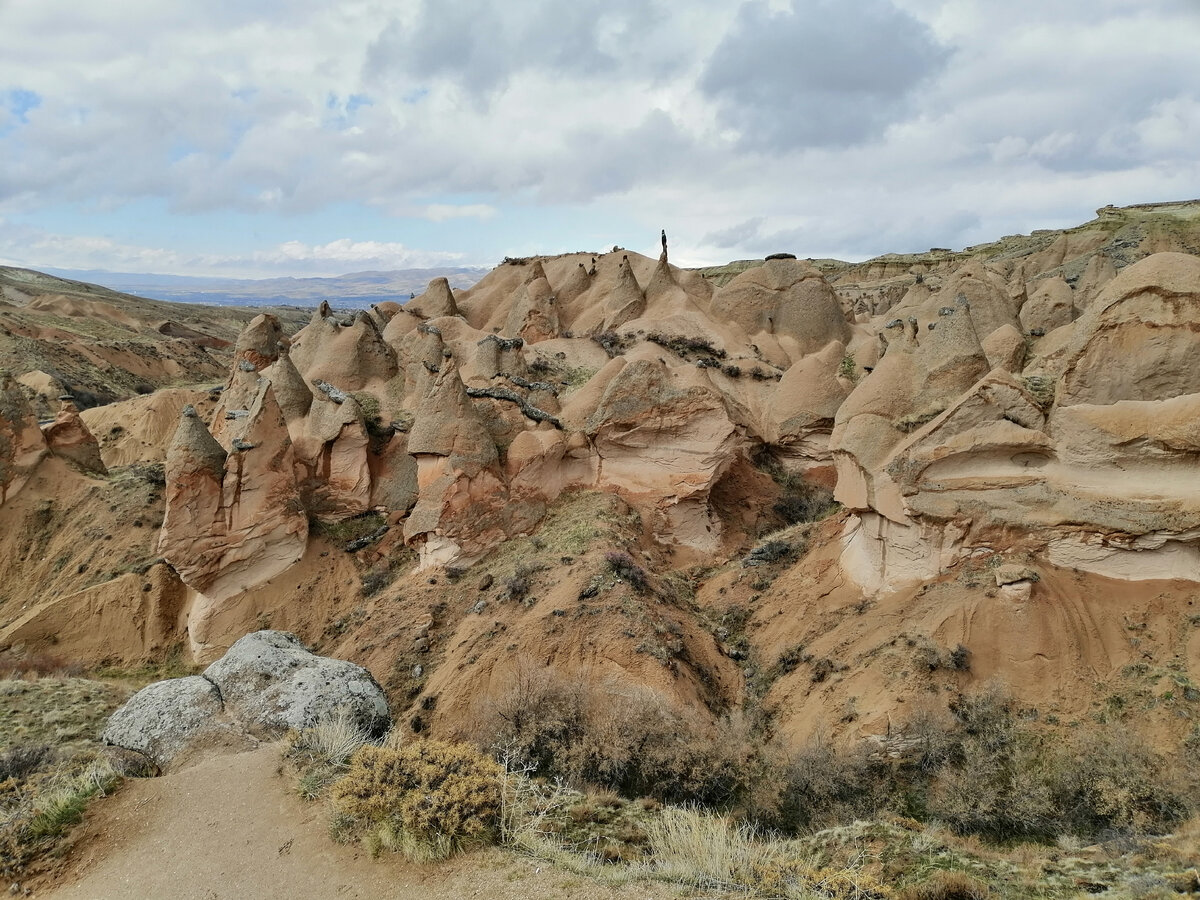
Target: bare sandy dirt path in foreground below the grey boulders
229 830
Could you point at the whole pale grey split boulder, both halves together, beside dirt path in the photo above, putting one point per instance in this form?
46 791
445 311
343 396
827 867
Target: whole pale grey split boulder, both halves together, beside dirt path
265 686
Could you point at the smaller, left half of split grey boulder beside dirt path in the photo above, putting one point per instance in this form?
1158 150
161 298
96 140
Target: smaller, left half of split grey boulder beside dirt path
167 717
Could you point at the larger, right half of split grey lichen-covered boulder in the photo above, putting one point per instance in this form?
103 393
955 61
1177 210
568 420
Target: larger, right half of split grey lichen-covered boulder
271 683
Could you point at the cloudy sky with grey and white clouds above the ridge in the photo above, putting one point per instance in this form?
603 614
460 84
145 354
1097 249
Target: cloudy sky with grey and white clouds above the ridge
299 137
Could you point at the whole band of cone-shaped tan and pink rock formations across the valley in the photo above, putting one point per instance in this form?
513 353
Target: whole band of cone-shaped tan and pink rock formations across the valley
977 395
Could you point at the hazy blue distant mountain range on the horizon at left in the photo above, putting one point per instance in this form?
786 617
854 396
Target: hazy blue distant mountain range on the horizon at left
356 290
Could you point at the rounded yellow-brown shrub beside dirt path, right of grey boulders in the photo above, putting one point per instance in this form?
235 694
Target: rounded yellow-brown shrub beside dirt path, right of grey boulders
429 800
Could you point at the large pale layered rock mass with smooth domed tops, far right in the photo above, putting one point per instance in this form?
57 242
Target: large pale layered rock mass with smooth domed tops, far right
937 457
